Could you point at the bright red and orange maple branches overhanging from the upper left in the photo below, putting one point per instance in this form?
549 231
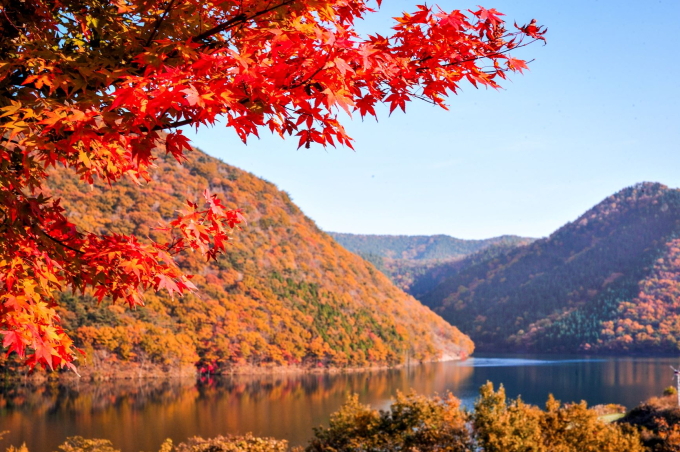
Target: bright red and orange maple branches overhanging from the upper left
100 86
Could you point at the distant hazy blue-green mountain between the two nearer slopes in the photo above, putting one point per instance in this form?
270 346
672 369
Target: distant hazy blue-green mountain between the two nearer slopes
416 263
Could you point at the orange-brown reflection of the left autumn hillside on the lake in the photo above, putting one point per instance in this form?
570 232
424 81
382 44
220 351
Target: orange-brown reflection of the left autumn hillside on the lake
140 414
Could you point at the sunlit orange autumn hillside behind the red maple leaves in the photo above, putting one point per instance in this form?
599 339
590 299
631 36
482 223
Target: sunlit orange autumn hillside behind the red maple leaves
284 293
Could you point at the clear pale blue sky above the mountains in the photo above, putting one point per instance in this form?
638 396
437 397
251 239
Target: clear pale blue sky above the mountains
598 111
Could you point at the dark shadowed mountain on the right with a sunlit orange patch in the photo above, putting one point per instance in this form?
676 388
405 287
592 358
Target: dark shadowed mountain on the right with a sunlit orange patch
609 281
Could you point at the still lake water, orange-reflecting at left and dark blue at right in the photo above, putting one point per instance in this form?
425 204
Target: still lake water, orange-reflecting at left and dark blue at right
139 415
